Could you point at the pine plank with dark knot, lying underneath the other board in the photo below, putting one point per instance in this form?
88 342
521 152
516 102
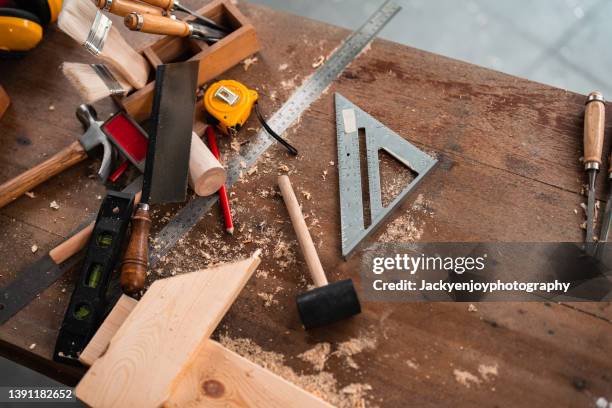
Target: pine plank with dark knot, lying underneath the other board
218 376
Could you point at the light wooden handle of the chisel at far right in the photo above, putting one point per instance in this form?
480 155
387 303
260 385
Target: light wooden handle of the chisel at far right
594 124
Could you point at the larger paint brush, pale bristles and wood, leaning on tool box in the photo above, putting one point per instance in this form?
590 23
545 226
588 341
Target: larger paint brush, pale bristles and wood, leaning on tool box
82 21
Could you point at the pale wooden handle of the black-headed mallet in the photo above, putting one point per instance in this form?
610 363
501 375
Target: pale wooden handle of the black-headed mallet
301 230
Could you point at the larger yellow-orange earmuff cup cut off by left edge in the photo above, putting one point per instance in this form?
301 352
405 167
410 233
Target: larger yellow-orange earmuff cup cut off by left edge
19 34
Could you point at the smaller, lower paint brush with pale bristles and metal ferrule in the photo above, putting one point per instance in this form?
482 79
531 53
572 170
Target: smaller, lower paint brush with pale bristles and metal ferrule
95 81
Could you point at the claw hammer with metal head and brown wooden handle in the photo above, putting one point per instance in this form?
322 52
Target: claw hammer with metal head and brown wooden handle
66 158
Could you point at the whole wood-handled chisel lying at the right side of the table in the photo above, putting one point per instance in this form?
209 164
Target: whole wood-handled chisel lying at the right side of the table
594 123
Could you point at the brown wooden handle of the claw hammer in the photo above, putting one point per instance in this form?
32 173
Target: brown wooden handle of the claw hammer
61 161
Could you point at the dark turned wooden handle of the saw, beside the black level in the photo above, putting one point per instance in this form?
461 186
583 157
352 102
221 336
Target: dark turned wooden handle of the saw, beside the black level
136 260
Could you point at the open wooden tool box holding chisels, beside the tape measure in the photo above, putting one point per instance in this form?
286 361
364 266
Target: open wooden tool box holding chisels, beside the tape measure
214 59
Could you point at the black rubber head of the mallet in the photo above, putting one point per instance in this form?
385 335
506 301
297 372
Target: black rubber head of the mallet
328 304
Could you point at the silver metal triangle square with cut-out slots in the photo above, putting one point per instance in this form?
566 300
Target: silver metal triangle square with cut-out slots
349 119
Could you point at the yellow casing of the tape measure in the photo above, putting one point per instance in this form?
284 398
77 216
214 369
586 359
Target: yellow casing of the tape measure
230 117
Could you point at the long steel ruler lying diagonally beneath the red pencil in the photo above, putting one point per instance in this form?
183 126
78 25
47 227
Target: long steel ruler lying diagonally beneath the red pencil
288 114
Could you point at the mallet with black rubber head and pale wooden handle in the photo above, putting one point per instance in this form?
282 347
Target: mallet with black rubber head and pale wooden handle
327 303
